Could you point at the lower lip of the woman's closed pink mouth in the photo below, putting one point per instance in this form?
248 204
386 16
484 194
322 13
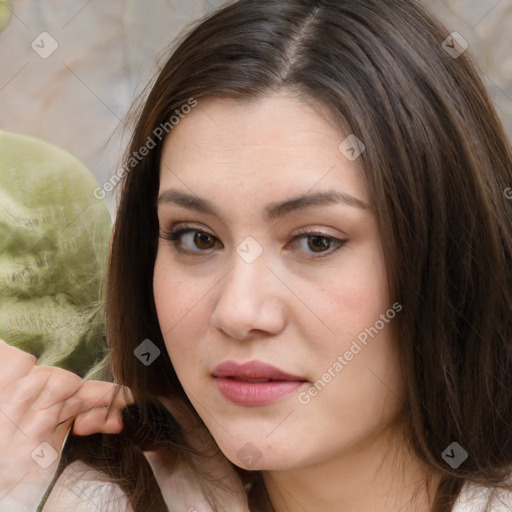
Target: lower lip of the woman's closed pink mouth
254 394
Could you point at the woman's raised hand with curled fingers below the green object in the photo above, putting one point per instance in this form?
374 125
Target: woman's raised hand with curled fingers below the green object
37 407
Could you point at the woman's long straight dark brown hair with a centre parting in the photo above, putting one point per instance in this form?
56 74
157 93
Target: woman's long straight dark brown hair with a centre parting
436 164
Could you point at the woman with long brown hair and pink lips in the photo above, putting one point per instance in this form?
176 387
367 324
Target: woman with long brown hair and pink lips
315 257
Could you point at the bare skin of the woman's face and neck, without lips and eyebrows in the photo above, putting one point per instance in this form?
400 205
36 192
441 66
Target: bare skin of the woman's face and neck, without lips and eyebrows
344 449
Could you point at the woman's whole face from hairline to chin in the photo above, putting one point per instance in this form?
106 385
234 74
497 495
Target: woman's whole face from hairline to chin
273 301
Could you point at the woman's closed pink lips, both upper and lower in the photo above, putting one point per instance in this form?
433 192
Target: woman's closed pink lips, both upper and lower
254 383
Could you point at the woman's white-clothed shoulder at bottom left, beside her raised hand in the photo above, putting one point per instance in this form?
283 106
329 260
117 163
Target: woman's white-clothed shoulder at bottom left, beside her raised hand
82 489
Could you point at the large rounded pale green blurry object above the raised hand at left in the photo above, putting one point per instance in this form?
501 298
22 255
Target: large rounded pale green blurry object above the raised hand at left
54 242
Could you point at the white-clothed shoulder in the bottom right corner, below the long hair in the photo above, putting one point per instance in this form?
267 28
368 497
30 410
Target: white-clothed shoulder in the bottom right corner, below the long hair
475 498
